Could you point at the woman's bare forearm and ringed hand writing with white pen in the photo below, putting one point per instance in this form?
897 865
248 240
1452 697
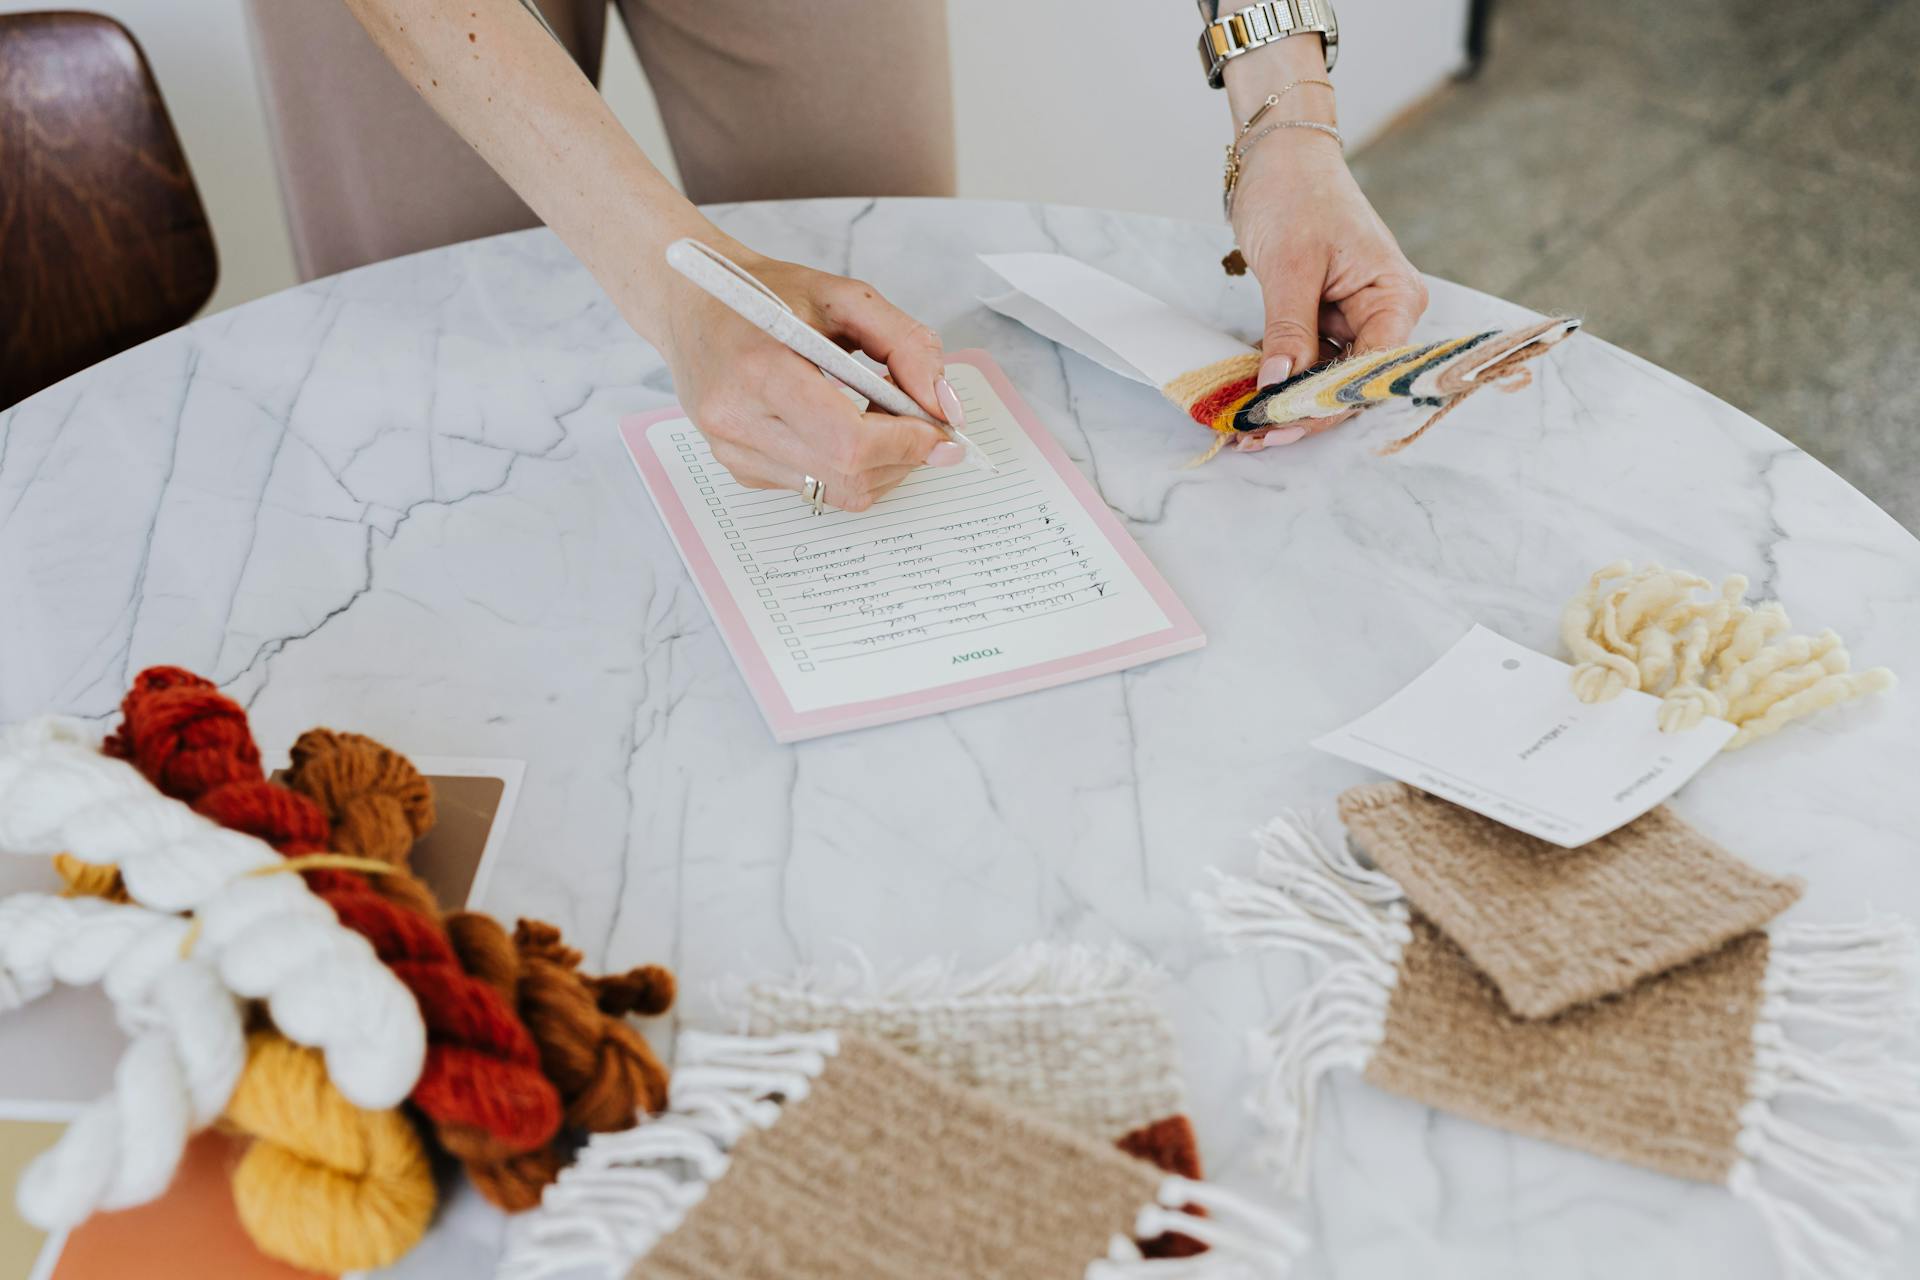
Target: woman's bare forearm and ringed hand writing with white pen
494 74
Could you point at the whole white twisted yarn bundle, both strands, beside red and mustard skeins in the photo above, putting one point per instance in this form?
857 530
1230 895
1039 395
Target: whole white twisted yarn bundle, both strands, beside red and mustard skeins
260 937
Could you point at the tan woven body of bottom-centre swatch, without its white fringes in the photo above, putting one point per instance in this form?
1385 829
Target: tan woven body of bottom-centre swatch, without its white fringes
886 1172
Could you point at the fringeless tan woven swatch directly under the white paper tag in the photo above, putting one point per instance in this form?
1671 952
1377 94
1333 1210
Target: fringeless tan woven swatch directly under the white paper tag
1552 926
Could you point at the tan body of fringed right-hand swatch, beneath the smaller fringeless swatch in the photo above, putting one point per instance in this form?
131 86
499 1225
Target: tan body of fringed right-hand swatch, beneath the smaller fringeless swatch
1654 1078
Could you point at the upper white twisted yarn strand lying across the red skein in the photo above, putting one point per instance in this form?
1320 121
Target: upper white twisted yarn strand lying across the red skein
268 937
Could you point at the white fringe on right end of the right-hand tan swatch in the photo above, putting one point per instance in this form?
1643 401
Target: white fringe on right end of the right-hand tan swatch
1835 1206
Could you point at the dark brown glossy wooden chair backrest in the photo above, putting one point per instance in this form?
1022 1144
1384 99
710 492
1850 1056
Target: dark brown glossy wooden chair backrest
103 237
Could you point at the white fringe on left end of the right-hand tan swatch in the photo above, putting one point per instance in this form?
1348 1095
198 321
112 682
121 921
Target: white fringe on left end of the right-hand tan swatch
1318 901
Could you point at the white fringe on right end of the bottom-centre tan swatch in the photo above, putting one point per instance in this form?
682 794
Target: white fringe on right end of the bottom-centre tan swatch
1245 1241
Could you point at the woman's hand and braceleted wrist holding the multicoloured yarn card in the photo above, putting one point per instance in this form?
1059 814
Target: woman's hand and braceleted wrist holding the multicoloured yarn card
1332 275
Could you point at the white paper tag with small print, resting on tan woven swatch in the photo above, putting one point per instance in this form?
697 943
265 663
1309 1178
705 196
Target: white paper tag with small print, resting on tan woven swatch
1495 728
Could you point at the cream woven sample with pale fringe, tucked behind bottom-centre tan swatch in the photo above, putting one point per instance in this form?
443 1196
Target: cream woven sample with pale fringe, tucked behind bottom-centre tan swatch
1068 1033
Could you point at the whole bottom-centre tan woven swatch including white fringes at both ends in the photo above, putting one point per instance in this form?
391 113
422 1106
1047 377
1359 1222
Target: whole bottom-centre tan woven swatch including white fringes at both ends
823 1156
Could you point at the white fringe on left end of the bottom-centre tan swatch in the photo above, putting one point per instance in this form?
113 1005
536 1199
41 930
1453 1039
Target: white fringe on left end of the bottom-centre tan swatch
627 1191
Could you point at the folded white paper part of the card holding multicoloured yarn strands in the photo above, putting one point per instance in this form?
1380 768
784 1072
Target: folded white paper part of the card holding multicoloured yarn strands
1105 320
